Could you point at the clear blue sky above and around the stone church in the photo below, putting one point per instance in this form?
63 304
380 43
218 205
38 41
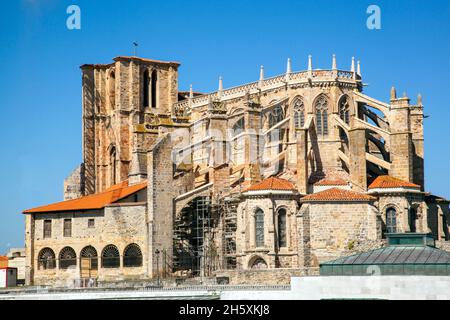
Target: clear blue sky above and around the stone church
40 82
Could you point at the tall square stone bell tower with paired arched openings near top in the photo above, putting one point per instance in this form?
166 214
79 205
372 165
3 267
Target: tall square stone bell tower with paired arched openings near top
118 99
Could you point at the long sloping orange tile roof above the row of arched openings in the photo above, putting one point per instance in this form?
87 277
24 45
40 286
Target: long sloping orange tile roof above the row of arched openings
94 201
